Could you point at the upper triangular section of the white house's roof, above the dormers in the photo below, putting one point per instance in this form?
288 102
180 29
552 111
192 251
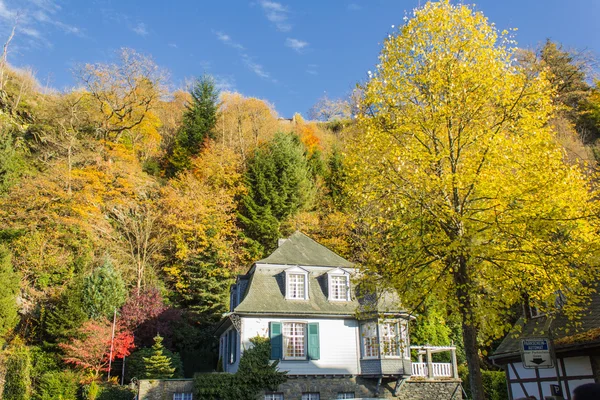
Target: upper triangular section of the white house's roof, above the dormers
299 249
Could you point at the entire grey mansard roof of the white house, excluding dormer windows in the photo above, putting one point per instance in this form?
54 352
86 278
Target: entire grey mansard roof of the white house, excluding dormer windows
265 292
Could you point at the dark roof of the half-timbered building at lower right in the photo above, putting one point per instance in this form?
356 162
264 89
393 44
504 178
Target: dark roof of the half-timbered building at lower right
565 335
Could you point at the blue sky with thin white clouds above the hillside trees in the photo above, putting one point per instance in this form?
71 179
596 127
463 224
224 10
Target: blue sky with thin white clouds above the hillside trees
289 52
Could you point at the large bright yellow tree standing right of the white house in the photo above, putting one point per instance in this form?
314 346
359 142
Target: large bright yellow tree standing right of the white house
460 187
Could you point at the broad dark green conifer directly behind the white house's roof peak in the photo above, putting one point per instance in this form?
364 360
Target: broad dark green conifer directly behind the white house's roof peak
279 183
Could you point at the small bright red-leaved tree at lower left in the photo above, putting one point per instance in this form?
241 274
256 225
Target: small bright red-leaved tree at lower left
90 349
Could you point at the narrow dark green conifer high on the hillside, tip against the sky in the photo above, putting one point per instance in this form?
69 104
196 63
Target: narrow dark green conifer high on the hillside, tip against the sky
198 125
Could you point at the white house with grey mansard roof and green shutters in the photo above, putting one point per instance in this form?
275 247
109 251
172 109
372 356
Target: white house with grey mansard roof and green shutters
304 299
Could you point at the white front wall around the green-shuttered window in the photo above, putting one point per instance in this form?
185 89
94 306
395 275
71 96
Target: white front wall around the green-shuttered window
339 347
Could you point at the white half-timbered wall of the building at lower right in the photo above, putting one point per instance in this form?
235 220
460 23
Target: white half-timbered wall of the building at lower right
574 367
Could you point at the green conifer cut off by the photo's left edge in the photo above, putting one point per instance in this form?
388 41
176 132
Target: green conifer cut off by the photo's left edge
9 289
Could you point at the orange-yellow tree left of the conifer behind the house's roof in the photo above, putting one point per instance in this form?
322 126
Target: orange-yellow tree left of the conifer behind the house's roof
199 217
